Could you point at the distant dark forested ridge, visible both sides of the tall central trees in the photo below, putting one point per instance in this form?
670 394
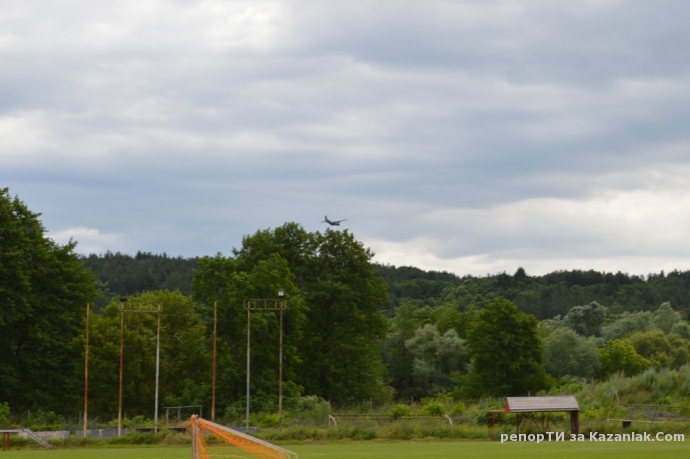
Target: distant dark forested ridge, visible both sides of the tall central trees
544 296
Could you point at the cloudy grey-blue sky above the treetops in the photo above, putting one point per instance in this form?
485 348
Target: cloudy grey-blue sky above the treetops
474 137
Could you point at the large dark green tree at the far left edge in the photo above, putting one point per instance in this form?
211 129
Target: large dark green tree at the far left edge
44 289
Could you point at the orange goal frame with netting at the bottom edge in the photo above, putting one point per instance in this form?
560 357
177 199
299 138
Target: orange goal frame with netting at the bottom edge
255 447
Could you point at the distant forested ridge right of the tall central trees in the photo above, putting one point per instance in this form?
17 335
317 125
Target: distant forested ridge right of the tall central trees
544 296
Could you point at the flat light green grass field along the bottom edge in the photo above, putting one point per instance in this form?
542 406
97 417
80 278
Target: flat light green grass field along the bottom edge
375 450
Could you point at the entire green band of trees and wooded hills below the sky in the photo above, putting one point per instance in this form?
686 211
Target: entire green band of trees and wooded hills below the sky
353 329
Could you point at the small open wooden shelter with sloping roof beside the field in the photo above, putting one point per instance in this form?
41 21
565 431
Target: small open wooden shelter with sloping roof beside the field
536 412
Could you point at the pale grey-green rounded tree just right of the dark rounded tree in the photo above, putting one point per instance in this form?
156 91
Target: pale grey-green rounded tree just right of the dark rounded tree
568 354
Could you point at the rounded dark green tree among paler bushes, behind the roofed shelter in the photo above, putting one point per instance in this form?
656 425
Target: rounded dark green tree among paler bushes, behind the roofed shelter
506 352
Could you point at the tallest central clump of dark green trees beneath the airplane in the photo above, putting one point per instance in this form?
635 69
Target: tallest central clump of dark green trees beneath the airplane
334 326
